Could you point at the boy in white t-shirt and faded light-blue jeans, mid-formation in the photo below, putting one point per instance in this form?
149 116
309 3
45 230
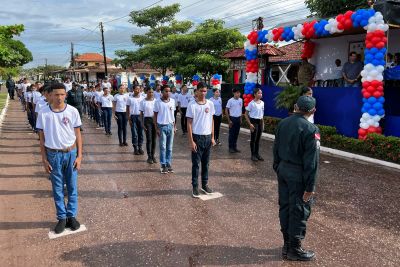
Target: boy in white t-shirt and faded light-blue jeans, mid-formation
165 126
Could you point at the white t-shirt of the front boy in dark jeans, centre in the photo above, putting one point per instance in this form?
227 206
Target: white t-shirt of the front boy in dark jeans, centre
202 117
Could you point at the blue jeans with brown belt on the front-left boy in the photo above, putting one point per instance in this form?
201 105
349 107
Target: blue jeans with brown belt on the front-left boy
64 172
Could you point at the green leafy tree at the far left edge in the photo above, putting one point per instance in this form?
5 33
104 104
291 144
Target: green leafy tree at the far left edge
13 53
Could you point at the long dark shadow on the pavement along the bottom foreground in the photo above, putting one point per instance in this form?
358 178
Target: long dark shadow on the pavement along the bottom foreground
162 253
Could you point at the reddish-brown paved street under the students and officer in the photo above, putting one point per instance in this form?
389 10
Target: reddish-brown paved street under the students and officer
135 216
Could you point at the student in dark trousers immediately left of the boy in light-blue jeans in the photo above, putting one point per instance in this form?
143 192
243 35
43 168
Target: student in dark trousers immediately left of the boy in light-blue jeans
146 114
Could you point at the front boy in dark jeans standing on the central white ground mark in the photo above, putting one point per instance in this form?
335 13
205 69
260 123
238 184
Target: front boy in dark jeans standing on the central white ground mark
200 114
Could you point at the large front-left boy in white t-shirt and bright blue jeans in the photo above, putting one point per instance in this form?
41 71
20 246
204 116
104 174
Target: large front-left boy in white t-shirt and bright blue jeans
61 150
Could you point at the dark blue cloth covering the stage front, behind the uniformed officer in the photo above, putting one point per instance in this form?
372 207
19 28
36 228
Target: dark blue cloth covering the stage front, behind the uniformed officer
339 107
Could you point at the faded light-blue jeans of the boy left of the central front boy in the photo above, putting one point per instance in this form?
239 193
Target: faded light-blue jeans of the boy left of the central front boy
166 143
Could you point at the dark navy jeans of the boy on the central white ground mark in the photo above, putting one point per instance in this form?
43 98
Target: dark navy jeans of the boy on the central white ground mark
202 156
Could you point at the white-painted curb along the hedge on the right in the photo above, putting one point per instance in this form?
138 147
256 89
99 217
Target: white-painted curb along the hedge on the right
331 151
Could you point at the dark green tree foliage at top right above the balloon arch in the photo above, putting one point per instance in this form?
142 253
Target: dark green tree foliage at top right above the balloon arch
331 8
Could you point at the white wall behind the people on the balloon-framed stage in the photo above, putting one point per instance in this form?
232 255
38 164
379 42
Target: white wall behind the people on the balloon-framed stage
329 49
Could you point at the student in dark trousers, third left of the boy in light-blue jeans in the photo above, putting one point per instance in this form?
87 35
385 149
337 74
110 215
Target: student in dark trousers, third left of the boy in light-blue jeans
120 100
